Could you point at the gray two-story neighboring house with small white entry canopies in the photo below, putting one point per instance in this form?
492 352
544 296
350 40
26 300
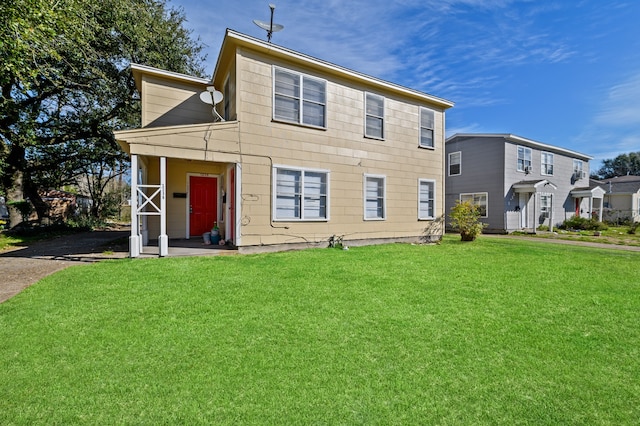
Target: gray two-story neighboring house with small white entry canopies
518 183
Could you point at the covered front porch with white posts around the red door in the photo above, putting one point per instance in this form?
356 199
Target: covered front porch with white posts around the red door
183 188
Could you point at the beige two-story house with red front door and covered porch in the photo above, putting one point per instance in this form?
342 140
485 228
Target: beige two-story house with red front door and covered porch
298 152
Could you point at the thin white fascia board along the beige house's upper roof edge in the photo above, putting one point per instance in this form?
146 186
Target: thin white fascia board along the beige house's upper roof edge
350 74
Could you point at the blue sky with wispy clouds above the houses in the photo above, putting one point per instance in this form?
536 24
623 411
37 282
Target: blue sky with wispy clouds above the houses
564 72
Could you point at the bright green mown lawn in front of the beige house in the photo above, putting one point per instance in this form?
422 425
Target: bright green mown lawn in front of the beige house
492 332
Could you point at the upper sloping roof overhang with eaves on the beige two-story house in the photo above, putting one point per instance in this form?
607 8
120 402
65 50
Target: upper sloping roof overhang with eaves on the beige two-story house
233 40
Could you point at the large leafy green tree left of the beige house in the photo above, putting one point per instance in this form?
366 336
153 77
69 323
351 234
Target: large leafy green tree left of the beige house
65 86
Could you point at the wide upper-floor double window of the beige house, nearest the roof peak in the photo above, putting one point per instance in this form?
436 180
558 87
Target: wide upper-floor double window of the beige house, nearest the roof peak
299 98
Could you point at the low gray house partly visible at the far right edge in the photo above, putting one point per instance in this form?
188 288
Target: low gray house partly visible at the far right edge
622 198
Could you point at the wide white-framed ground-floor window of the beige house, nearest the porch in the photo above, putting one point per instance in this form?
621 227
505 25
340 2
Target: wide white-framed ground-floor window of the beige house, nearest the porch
300 194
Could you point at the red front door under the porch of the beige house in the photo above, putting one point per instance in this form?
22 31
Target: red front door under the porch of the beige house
203 204
